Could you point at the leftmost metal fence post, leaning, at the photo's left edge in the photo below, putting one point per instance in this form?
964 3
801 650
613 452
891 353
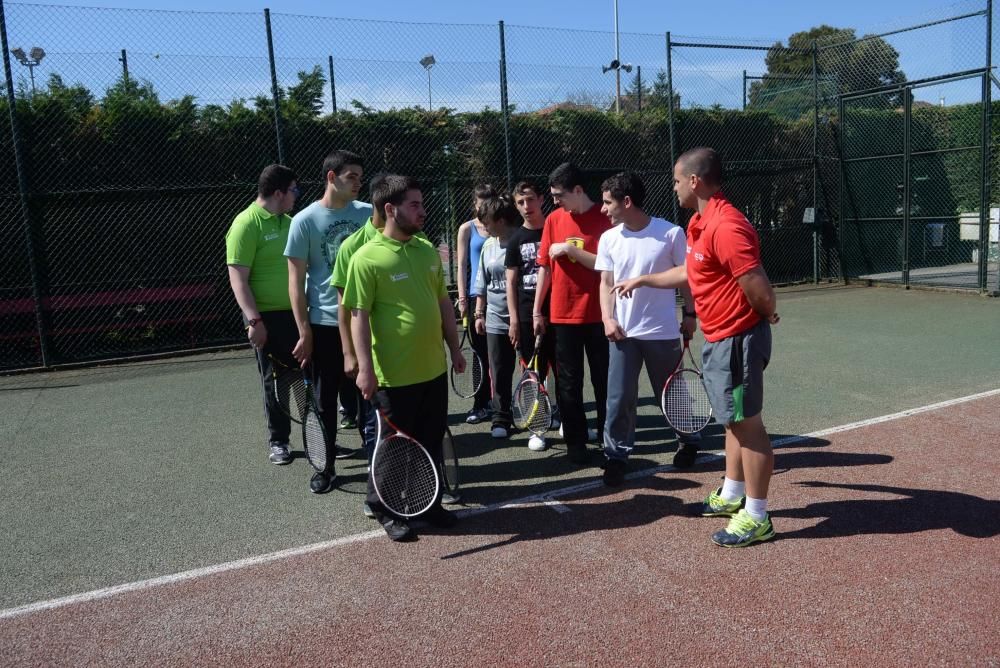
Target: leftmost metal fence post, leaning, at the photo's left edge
22 185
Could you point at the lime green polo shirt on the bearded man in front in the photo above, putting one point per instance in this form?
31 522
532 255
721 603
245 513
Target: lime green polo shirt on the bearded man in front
401 286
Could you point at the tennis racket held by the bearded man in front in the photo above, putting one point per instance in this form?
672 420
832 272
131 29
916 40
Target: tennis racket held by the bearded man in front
404 476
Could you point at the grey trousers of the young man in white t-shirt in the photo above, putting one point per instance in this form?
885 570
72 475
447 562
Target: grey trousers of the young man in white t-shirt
625 361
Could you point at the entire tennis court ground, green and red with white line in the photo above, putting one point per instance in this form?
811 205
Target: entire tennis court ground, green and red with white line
144 525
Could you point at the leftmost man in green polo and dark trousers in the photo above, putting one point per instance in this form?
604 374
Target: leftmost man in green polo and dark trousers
258 274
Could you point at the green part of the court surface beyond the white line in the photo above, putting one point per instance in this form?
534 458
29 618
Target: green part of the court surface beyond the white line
120 473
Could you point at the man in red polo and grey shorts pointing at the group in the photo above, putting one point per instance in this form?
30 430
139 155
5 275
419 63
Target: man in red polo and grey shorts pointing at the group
736 305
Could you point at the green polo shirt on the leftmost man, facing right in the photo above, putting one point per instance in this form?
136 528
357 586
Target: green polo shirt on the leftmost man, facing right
257 239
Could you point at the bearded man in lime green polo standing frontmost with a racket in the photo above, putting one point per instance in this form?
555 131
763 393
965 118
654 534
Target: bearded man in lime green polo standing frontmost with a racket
400 310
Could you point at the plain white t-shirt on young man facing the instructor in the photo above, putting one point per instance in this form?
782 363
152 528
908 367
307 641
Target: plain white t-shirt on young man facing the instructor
650 313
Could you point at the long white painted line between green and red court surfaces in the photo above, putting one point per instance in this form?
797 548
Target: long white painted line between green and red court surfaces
545 498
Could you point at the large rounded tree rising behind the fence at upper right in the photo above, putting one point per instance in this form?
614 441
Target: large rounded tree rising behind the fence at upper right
844 62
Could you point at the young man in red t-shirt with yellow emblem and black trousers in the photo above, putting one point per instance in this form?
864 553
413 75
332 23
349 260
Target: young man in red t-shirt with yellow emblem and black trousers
566 257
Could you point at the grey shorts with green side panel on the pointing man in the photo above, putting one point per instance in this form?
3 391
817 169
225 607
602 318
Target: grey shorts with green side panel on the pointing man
733 369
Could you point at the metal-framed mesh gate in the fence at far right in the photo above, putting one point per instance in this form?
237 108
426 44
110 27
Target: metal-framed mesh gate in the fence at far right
913 199
